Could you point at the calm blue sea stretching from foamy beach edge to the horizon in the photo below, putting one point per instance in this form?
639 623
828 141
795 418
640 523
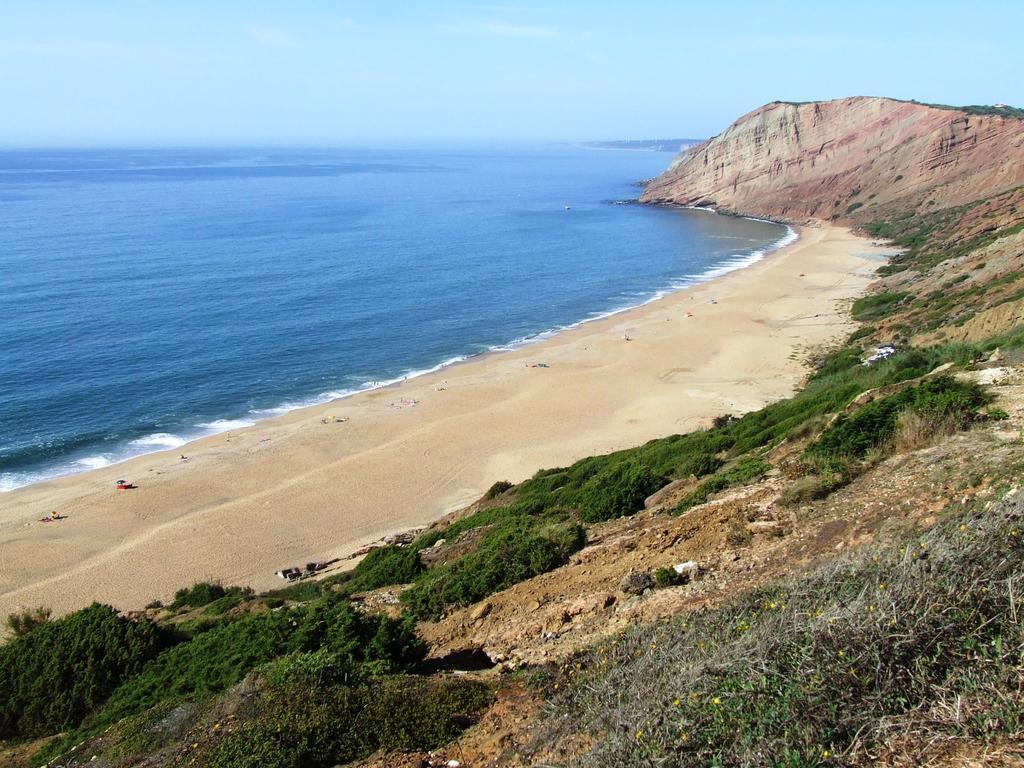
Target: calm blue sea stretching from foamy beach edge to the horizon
151 297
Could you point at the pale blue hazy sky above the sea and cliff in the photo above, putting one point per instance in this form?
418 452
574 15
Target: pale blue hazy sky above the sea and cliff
151 73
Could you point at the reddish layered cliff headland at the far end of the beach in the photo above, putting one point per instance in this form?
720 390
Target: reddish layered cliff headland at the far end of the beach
852 159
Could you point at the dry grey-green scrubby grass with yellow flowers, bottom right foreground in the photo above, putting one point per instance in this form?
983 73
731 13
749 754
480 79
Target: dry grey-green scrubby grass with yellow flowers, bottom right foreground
884 657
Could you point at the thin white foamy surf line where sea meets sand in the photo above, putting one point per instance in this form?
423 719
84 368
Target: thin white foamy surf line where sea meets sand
170 442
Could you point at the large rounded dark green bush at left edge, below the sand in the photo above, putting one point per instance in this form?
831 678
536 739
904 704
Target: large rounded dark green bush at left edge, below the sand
54 676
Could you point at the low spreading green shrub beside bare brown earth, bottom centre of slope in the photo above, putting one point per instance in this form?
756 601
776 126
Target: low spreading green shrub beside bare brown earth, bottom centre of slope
520 549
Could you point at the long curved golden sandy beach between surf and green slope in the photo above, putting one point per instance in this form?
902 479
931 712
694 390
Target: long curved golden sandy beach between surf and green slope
317 484
